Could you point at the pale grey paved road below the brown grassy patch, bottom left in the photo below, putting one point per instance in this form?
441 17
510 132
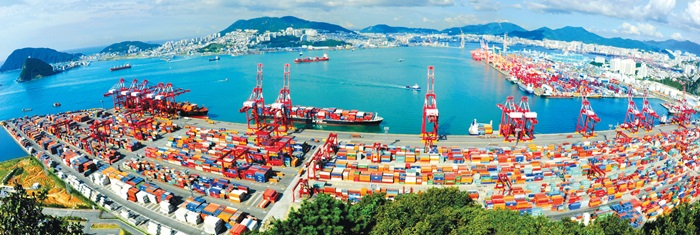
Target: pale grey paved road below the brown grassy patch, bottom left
93 217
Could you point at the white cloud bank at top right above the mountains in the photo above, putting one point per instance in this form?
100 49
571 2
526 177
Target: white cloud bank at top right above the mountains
653 10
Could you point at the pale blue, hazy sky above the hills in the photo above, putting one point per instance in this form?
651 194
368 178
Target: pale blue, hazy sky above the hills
71 24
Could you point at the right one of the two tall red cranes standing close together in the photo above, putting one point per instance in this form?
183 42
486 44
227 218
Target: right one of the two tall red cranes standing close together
281 110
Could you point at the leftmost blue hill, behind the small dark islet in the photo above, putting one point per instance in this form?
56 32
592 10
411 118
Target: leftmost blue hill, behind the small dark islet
17 58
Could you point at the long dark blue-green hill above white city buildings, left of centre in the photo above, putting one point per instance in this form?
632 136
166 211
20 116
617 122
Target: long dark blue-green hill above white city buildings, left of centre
274 24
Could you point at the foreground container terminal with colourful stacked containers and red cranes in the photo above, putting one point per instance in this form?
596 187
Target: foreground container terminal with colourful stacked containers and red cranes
168 174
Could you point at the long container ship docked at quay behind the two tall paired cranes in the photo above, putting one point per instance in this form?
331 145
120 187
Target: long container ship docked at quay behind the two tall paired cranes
331 116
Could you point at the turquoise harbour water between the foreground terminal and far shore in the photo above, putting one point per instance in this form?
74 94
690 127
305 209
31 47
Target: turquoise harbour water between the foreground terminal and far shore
371 80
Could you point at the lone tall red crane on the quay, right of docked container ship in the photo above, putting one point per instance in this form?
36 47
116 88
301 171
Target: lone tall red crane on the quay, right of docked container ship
429 129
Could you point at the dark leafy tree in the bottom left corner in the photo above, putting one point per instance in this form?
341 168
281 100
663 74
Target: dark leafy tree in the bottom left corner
21 213
